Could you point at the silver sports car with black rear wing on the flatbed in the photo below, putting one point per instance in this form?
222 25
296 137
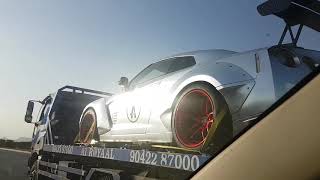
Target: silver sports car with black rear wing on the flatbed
203 98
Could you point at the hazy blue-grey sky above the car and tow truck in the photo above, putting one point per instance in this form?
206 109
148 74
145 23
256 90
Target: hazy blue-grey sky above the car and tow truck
46 44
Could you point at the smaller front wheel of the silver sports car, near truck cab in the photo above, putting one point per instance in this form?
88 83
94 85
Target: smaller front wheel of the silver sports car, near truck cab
88 127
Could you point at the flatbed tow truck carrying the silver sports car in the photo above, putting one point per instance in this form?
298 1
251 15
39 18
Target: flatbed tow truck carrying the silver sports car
55 156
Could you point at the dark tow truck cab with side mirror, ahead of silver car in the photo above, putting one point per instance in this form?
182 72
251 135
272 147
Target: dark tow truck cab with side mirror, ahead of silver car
58 119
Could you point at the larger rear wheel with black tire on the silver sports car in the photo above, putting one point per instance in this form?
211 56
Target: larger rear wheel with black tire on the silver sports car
194 116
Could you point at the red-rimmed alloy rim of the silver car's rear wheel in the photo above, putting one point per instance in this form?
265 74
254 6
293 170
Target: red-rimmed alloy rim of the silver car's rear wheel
194 117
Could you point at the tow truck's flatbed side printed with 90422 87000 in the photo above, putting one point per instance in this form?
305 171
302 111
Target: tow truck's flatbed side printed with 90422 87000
77 162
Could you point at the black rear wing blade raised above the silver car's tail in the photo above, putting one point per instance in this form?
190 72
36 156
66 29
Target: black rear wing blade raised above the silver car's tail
294 12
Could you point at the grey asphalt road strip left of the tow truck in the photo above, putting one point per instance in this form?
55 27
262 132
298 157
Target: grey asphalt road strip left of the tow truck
13 164
